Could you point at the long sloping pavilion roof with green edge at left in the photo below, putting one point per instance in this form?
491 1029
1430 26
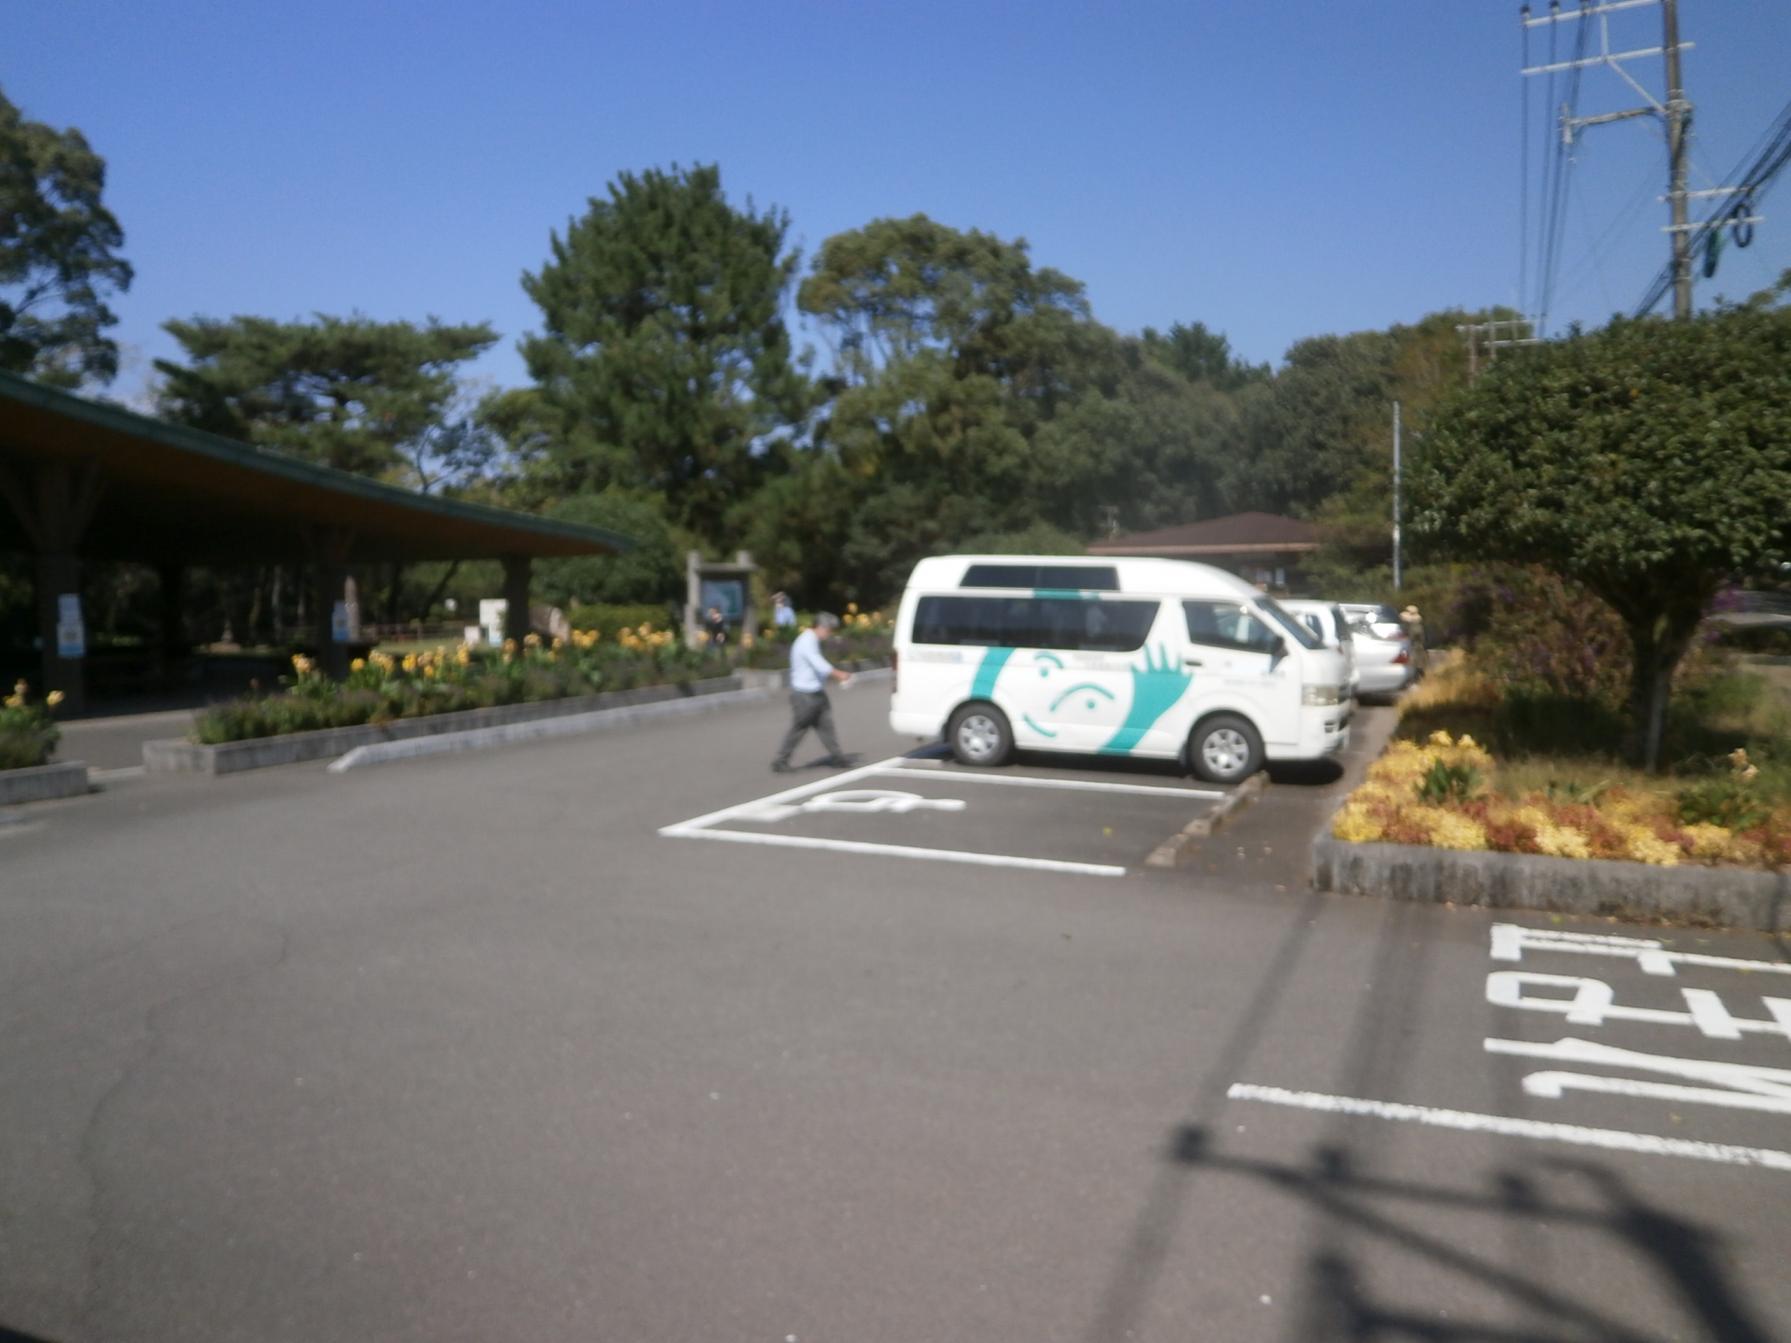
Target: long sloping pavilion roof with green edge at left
178 495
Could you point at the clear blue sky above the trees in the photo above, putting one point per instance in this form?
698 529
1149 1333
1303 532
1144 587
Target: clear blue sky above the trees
1274 171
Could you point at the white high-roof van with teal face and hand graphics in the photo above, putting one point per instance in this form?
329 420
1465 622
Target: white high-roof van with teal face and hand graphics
1115 658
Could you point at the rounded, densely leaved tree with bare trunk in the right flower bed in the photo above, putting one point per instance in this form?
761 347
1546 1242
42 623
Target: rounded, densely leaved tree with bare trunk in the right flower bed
1649 461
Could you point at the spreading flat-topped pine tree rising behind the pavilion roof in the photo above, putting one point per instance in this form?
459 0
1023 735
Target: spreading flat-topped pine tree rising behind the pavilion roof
377 398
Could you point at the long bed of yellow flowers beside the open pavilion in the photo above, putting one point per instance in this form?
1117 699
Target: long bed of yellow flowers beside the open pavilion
384 689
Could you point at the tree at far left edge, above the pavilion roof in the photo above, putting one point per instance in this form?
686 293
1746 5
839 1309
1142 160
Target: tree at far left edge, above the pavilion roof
58 255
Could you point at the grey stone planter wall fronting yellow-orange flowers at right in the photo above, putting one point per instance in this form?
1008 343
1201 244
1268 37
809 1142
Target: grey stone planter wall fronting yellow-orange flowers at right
1710 896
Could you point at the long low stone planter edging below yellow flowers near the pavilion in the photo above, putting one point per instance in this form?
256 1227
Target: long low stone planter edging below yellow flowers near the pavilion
259 753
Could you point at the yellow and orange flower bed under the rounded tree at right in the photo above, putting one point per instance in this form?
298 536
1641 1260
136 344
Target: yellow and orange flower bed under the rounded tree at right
1444 792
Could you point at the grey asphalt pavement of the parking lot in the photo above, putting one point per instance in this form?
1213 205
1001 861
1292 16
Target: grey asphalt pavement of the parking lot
502 1047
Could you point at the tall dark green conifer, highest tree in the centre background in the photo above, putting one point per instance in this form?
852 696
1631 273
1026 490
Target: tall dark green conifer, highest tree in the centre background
665 357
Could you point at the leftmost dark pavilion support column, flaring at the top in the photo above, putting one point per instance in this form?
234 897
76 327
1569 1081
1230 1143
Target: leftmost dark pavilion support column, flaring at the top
55 506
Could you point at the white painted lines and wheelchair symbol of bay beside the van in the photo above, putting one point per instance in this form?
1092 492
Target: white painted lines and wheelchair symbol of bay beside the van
801 800
